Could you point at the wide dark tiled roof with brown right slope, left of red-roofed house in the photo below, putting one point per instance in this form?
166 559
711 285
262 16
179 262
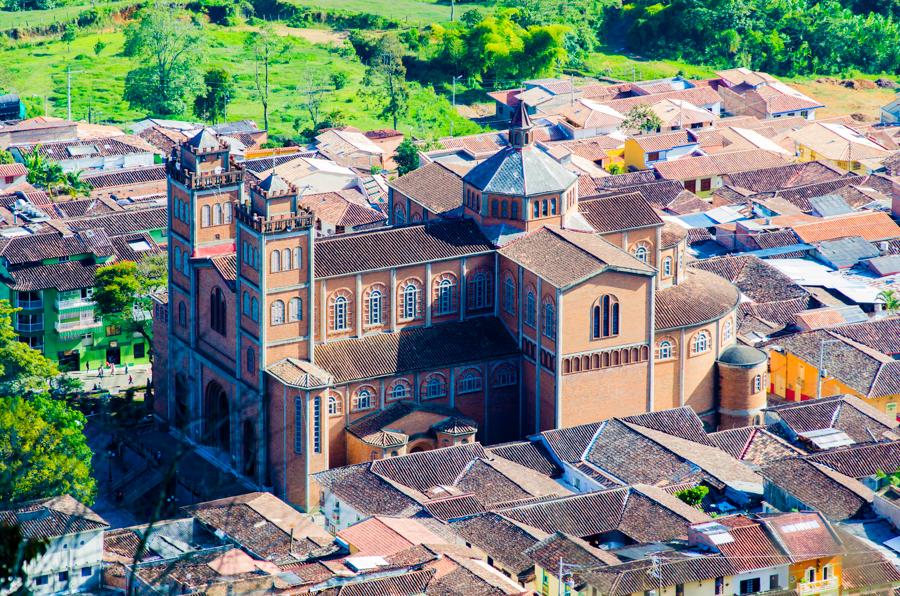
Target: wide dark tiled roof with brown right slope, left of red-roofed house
643 513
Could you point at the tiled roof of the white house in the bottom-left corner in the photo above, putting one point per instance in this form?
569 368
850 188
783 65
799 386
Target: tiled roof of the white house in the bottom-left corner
51 518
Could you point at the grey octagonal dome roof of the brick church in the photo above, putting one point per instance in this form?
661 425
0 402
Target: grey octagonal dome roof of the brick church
523 172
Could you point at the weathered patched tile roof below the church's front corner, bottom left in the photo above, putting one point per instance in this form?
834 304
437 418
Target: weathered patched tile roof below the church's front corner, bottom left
266 525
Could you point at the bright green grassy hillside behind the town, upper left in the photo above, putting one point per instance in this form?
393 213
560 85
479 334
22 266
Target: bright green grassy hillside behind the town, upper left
39 69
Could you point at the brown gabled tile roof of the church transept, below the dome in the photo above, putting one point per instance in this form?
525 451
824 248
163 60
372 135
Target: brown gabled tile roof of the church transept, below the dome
564 257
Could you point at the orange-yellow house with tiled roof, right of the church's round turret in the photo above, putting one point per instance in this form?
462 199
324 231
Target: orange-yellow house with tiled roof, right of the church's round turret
848 367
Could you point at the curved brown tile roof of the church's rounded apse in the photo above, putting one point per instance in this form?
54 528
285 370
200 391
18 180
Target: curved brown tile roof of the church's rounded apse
701 297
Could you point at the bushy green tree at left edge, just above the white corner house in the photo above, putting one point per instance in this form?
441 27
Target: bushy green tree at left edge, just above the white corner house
43 450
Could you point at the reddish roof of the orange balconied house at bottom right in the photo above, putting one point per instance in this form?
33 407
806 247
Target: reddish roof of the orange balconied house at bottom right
804 535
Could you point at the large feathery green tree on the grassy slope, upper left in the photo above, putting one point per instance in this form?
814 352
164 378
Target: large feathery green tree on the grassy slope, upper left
167 47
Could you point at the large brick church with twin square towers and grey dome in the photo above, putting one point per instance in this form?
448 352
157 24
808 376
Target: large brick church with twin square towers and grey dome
285 354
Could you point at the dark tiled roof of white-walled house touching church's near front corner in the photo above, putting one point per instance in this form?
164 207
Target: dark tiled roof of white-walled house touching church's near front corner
367 493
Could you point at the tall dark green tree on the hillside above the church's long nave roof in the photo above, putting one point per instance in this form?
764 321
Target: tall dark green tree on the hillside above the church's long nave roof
385 79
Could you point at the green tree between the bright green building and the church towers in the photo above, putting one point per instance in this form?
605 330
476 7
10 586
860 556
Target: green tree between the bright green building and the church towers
122 292
